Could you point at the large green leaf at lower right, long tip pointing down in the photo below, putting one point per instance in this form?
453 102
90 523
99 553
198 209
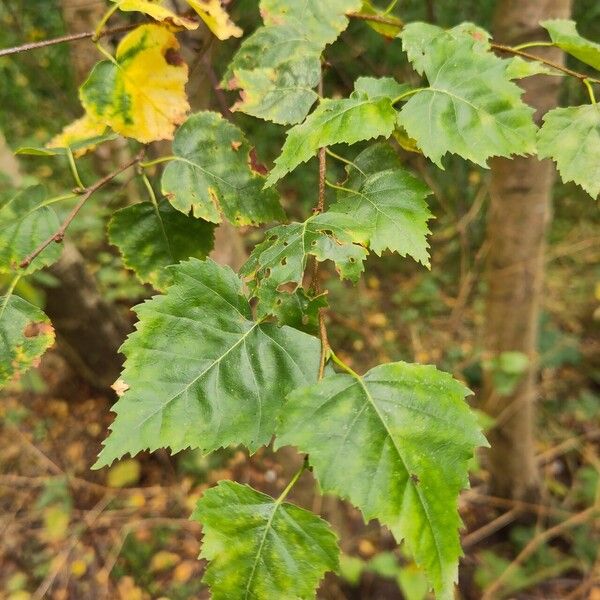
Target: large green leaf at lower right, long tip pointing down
396 443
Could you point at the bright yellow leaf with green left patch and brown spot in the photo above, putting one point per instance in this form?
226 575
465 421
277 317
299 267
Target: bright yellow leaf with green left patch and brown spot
142 93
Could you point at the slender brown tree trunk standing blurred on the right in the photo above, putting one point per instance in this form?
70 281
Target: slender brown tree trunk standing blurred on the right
520 210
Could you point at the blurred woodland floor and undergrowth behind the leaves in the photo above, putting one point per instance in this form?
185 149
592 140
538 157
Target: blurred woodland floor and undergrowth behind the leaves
123 532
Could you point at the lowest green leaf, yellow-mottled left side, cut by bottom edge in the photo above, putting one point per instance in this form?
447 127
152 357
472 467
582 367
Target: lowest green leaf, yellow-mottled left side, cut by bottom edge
262 548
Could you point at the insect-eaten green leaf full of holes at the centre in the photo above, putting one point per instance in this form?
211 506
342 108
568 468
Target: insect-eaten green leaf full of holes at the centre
283 257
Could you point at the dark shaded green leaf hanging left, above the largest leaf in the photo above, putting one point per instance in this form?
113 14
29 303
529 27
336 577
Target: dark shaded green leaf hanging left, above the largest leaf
151 238
